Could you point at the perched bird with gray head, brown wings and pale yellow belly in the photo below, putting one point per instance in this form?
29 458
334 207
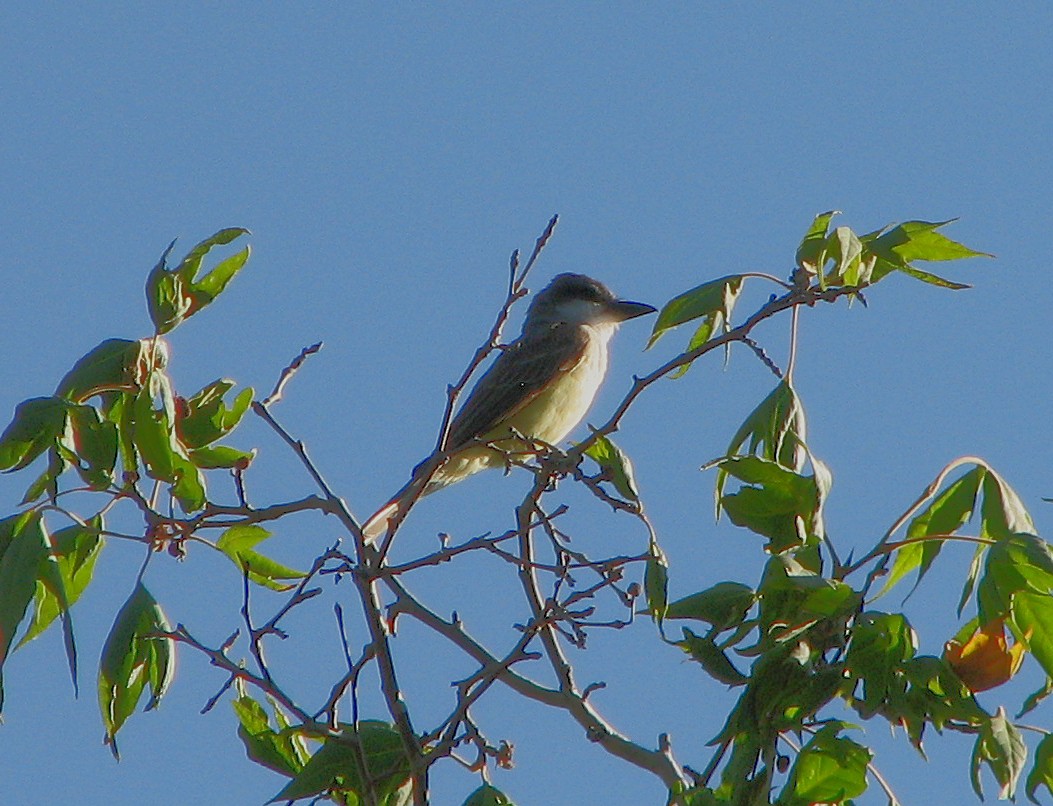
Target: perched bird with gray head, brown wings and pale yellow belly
537 392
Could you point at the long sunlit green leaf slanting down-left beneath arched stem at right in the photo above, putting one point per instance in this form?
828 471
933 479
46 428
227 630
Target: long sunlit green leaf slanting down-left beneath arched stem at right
946 515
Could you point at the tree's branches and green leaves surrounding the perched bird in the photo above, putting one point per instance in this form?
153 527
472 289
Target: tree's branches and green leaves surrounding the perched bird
800 647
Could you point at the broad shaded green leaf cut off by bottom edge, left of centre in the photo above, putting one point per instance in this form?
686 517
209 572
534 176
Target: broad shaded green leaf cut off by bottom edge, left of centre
337 765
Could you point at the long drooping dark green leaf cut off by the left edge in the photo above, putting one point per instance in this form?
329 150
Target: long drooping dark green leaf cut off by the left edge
24 547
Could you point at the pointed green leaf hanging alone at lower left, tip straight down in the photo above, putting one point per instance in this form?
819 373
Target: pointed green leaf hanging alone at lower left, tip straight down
133 659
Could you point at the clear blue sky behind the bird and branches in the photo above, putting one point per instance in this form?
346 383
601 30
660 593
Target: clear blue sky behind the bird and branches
388 160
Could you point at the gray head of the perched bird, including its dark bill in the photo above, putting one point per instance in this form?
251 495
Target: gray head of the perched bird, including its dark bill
578 300
